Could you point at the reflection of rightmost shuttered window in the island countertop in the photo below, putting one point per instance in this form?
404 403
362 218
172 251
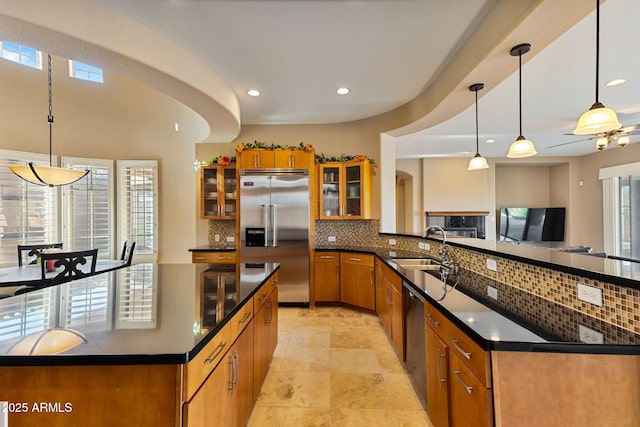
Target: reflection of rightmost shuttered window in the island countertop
136 297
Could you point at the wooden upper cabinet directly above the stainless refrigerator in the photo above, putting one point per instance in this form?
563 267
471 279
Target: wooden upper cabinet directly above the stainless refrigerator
277 158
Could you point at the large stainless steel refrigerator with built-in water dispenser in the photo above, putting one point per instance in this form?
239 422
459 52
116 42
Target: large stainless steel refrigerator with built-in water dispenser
274 226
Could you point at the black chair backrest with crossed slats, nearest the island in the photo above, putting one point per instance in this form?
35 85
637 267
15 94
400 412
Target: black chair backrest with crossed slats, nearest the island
70 265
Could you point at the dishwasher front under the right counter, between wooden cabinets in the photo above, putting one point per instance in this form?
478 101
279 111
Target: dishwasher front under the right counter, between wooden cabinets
415 350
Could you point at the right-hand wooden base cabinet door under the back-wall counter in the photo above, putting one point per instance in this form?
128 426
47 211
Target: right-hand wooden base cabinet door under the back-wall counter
357 285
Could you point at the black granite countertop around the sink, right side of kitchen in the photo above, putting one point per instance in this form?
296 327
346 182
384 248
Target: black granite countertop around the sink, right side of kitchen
517 321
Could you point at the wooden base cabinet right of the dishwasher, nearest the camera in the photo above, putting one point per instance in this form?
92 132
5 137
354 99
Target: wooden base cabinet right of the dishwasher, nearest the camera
458 375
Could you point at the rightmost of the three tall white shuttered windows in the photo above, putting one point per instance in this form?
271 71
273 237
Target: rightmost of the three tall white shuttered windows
138 206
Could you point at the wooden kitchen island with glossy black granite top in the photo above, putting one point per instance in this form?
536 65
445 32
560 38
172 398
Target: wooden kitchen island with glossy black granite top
157 342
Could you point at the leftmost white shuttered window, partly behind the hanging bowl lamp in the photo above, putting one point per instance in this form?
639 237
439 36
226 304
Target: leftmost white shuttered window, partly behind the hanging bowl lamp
28 212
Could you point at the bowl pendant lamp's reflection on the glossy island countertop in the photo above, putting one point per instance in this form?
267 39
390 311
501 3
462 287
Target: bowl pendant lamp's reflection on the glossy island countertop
51 341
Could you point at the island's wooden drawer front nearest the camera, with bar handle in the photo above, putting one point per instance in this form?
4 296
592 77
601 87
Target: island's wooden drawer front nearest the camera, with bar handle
205 361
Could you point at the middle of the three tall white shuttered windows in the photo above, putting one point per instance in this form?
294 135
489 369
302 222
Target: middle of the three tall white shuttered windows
87 213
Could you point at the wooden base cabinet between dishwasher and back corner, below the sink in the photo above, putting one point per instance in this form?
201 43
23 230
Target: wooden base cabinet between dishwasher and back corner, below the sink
389 305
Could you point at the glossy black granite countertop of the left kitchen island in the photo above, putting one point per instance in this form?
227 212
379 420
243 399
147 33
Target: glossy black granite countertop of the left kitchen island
142 314
